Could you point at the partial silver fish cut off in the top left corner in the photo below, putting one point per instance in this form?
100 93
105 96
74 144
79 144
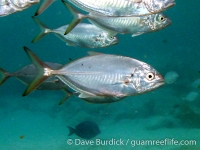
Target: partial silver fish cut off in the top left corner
8 7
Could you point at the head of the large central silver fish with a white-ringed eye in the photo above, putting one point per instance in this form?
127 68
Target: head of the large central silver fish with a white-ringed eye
145 78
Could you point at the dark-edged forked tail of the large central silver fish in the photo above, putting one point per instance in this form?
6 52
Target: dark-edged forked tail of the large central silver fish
44 71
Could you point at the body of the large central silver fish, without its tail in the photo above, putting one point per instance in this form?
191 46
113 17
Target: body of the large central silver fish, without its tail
108 75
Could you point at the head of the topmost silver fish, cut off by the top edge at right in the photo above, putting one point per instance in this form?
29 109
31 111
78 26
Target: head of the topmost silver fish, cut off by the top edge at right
155 6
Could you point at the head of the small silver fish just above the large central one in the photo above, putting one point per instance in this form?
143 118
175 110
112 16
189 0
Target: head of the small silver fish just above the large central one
104 40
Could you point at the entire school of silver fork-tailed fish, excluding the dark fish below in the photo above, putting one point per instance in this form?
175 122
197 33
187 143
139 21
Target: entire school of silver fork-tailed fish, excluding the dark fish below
97 78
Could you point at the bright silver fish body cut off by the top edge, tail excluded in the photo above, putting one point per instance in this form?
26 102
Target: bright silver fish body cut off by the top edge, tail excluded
123 7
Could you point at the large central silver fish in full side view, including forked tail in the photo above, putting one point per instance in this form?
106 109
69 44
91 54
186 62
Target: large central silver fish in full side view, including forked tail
101 76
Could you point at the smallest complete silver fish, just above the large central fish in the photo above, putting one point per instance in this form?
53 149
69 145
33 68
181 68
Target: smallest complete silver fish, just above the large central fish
83 35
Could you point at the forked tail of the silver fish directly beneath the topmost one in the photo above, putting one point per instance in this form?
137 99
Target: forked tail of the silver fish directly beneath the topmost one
78 17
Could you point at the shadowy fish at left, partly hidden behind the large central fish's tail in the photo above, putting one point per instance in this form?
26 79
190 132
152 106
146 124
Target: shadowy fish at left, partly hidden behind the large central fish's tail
27 74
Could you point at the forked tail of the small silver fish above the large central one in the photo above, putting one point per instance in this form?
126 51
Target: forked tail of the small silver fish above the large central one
44 30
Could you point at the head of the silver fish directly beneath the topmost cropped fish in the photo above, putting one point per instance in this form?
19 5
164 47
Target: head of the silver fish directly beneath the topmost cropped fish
157 21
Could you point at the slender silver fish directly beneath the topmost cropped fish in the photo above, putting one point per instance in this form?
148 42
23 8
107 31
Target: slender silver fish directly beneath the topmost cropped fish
129 25
